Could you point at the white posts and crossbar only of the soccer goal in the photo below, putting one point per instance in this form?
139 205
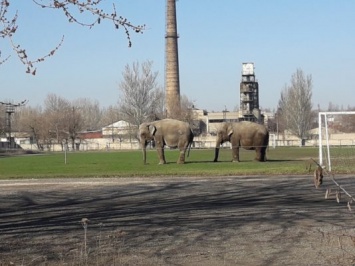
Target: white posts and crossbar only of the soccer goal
320 115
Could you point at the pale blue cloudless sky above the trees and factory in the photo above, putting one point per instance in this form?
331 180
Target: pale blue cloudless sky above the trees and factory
216 37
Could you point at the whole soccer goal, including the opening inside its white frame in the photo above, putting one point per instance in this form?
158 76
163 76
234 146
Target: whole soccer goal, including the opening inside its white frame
337 141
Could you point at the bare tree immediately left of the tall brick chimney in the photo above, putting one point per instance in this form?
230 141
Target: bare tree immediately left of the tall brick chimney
141 97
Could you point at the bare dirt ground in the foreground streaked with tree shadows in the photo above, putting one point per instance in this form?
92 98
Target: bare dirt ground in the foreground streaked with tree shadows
174 221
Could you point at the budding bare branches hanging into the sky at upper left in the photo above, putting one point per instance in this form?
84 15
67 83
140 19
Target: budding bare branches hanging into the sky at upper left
74 10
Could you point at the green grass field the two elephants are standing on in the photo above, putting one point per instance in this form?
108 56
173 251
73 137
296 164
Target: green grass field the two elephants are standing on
282 160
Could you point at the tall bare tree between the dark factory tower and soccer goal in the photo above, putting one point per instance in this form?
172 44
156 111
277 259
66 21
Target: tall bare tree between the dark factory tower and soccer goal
295 104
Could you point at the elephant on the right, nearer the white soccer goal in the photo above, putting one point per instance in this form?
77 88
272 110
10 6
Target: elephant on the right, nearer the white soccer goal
249 135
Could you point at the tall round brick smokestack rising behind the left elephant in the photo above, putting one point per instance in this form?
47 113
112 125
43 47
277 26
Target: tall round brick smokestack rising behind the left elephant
172 82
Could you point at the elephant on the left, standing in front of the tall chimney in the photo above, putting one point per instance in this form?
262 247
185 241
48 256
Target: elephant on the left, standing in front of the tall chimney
170 132
